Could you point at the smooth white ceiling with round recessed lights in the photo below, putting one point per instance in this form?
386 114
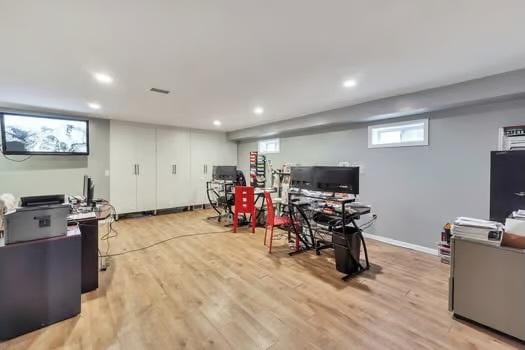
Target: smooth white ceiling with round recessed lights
221 58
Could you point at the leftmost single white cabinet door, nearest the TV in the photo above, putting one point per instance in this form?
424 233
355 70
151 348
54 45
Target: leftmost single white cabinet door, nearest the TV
123 178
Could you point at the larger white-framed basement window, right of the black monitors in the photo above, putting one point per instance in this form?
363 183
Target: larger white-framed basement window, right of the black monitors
408 133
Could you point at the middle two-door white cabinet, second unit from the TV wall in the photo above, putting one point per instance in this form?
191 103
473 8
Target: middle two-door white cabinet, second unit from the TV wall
173 168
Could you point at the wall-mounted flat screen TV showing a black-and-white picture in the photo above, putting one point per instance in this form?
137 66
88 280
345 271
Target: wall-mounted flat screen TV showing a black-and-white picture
37 135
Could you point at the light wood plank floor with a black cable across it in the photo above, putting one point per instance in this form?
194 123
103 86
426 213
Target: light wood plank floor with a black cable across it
224 290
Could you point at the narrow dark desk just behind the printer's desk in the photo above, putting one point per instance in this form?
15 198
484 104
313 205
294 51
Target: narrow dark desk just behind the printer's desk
89 230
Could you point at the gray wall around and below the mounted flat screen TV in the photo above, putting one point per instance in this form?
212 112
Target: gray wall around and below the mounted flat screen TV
60 174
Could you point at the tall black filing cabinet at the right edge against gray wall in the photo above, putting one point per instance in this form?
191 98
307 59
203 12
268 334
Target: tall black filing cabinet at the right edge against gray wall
507 183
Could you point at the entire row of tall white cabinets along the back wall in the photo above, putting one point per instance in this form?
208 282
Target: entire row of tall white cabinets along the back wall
163 167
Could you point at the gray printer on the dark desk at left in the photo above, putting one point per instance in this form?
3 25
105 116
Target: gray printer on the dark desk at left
36 222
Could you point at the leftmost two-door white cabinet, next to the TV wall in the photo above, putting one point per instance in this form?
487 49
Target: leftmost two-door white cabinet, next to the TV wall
132 167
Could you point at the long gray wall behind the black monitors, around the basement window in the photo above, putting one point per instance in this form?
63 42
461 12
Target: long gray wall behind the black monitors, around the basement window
414 190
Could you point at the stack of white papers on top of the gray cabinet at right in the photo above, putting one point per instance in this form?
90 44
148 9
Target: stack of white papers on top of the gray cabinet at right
477 229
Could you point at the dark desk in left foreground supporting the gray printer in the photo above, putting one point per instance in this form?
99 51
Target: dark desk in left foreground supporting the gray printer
40 283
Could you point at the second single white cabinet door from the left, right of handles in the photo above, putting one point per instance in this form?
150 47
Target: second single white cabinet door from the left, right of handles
145 148
